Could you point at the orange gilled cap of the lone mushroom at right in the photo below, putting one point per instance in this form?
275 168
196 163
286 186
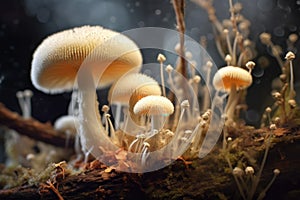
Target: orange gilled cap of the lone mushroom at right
229 75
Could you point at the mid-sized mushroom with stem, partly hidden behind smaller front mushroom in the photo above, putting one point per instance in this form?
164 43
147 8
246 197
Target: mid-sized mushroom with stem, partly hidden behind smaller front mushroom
121 91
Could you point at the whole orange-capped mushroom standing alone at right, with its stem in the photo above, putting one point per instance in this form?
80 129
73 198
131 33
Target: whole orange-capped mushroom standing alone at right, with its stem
230 79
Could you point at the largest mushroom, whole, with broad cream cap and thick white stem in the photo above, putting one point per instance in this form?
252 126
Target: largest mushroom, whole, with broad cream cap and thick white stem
96 57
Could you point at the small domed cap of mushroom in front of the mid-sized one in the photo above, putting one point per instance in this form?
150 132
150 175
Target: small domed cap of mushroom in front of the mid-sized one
153 105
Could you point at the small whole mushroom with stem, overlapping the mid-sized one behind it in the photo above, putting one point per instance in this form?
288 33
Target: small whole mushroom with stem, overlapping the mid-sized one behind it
156 107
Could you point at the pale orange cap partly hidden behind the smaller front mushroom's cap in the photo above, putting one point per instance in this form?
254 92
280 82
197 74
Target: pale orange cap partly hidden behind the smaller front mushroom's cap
122 89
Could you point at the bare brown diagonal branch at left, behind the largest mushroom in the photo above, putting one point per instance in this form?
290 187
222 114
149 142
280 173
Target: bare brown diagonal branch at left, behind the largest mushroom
33 128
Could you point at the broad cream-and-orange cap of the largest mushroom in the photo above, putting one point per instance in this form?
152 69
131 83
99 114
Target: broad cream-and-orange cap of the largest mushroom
58 58
